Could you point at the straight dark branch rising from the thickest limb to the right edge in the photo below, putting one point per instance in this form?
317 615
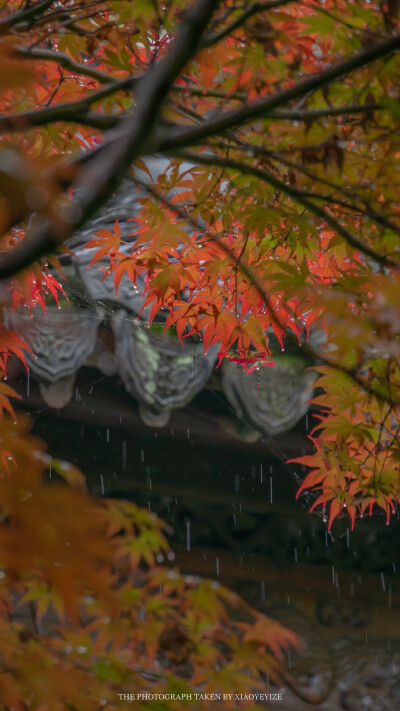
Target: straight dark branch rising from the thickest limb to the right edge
188 135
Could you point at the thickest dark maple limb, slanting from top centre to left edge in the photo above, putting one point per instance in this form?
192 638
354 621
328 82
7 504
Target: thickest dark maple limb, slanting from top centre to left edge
99 177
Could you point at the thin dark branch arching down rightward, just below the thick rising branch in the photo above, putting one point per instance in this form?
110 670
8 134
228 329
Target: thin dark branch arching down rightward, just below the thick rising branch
296 195
